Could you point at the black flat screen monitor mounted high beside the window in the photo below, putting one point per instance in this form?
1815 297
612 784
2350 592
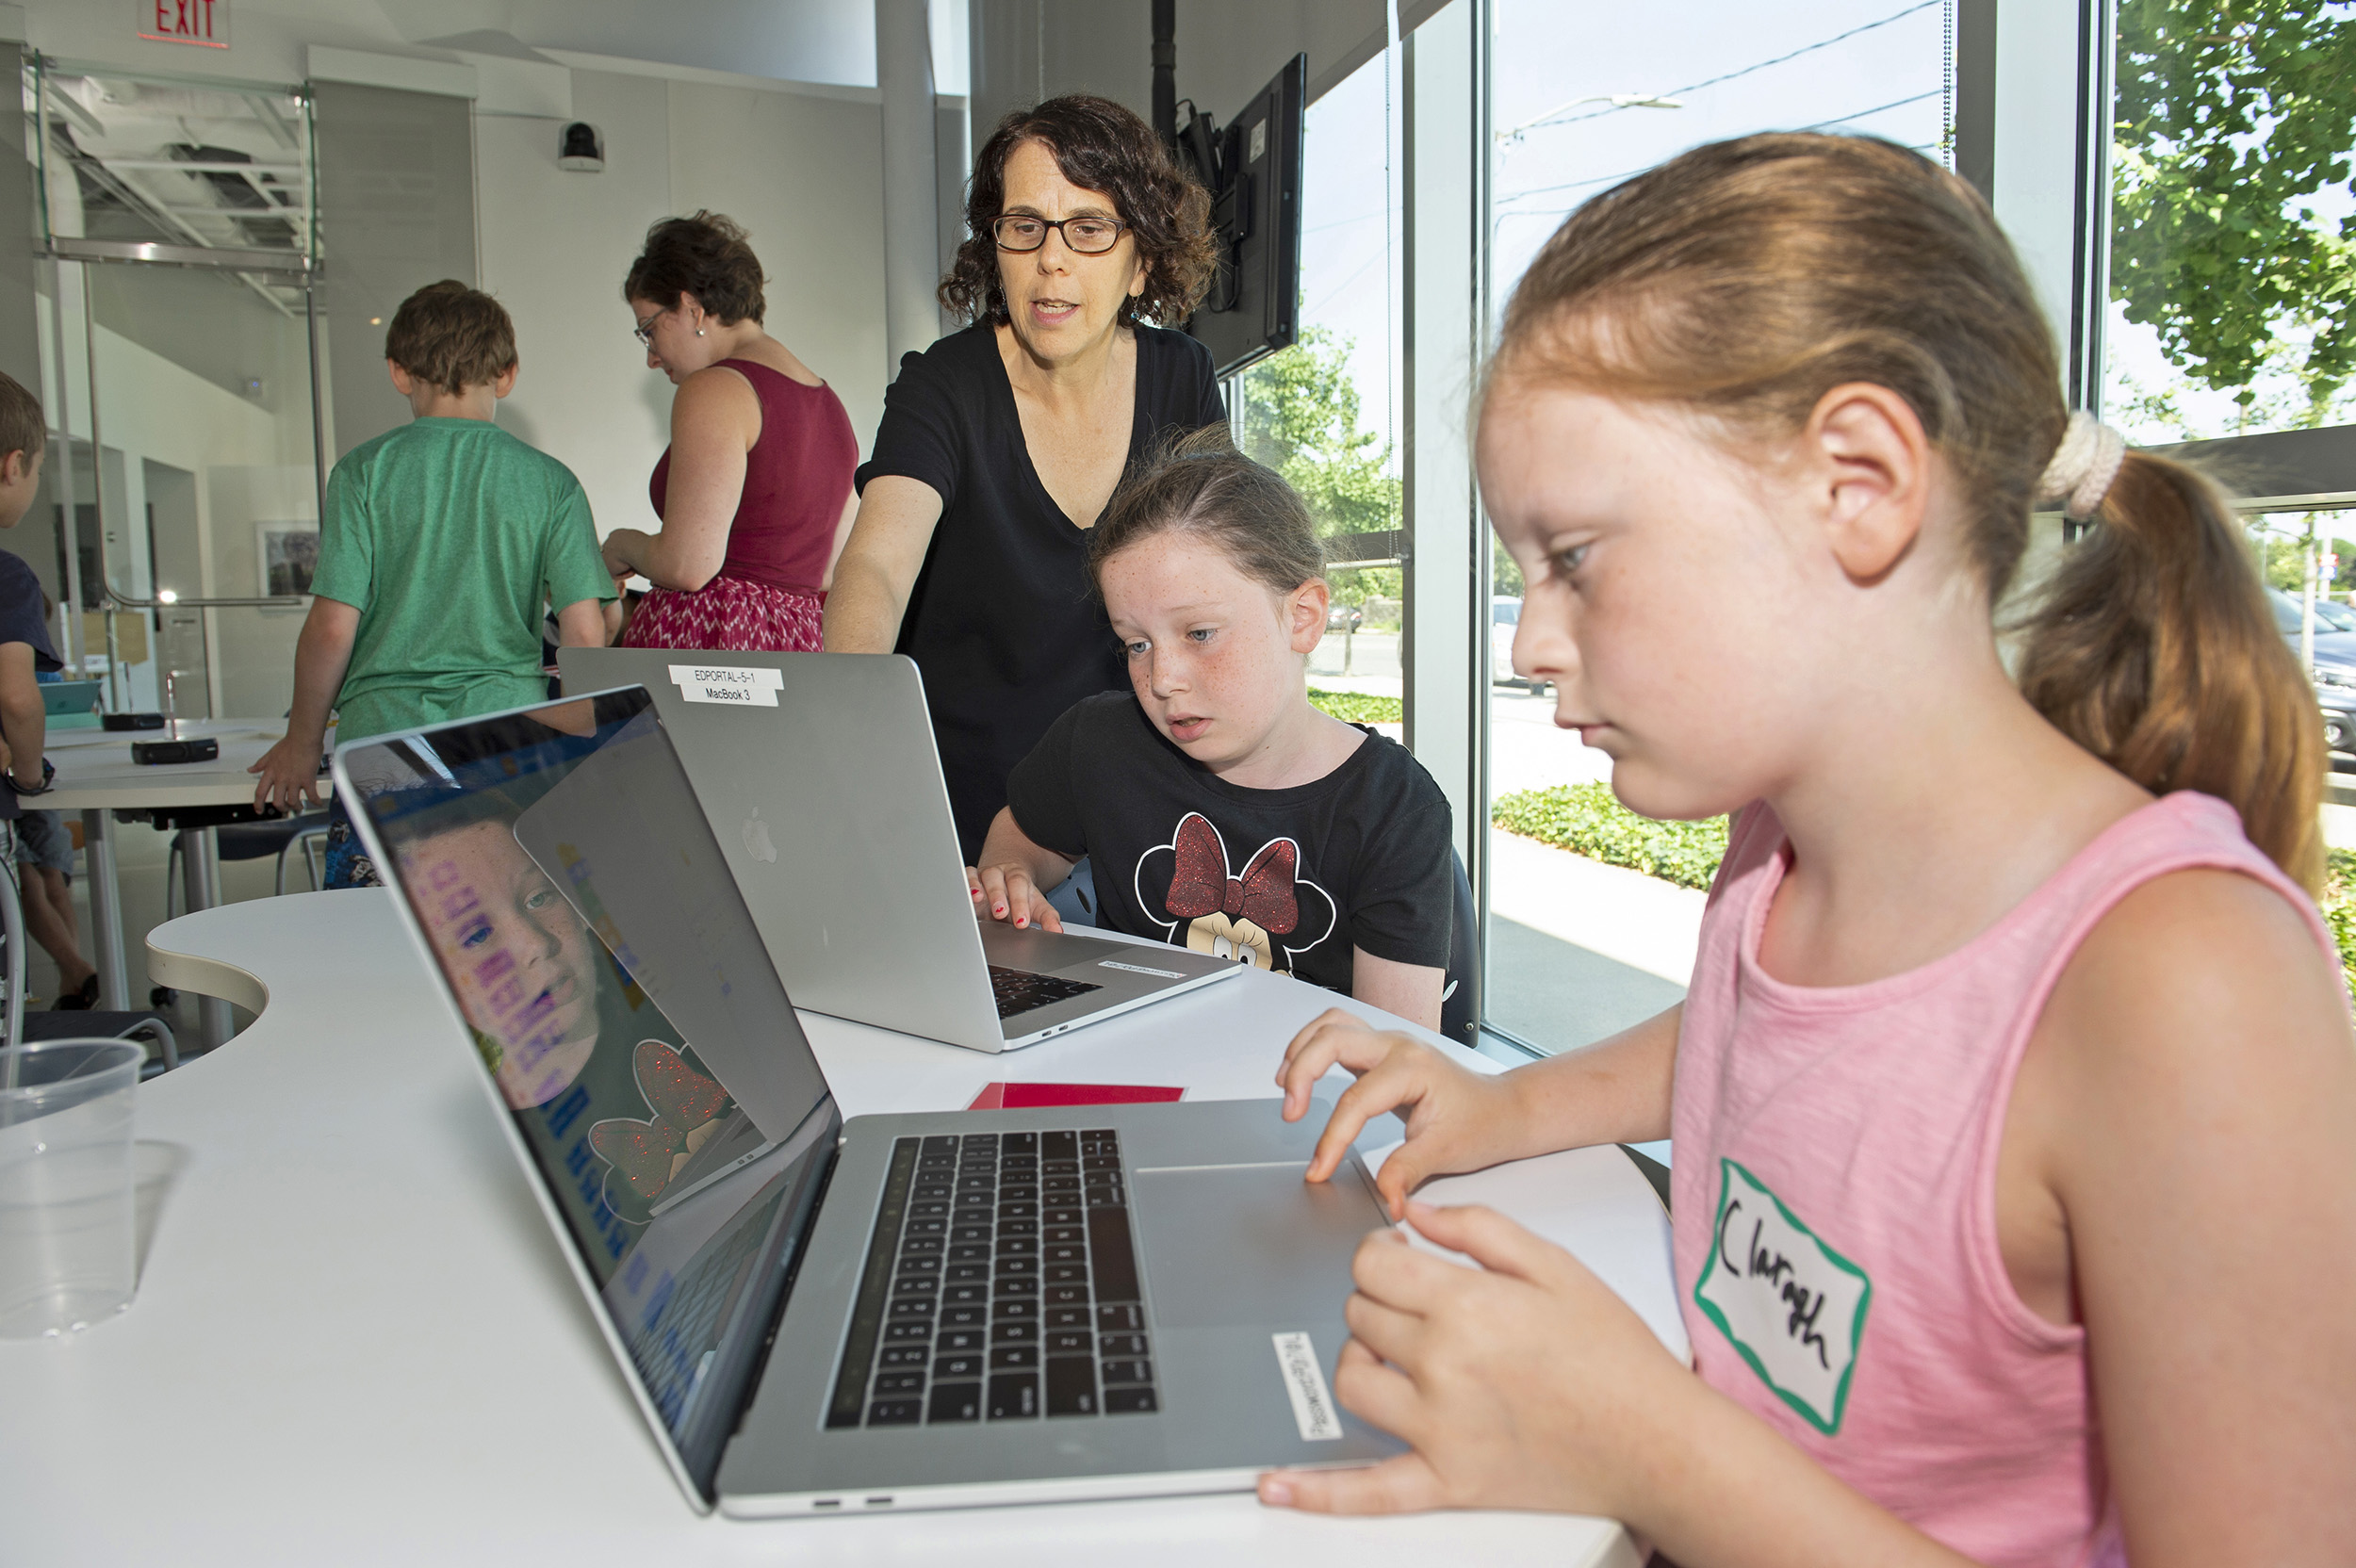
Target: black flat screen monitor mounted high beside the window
1252 171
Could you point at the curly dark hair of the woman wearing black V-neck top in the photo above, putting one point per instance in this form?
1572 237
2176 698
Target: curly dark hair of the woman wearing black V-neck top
1099 147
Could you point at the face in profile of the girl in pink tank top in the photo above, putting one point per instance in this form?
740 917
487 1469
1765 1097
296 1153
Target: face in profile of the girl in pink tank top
1665 594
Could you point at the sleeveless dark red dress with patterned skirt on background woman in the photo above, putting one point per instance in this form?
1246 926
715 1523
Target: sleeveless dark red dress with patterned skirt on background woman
798 479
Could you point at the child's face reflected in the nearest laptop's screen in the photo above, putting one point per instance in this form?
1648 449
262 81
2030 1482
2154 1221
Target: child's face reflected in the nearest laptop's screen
517 955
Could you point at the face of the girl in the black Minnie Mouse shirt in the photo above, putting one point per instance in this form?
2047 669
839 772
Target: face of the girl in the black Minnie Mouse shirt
1210 651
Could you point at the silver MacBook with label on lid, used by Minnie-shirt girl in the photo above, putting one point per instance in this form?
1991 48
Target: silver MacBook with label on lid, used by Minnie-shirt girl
821 783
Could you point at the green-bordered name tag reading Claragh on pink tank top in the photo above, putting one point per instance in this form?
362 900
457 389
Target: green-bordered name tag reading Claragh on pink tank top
1792 1305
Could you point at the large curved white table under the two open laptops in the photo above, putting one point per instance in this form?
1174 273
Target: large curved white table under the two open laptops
357 1341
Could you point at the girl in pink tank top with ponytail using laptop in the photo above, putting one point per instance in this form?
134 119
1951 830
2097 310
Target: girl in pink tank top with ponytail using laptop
2013 1098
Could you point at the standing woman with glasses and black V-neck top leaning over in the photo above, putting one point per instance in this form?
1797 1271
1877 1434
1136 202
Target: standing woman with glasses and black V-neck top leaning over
1002 444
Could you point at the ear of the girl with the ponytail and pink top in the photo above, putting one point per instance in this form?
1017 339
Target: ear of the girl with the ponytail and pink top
1867 467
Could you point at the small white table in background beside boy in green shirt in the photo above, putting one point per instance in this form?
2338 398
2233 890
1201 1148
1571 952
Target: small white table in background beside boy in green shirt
95 776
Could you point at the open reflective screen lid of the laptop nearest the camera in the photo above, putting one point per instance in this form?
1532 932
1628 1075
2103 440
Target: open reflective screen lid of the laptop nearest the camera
560 875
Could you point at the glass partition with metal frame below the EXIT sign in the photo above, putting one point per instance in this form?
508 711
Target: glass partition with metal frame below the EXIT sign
178 354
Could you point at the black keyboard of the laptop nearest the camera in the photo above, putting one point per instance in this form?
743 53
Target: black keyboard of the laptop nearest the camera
1000 1284
